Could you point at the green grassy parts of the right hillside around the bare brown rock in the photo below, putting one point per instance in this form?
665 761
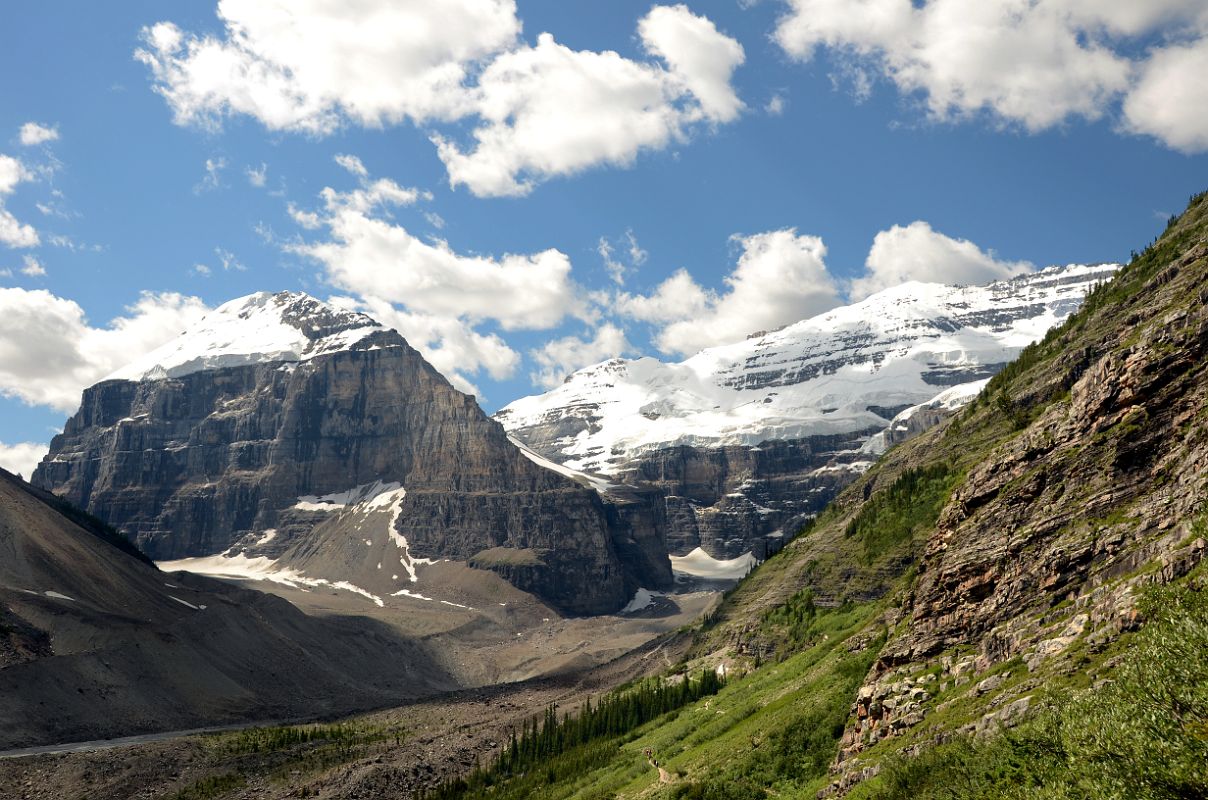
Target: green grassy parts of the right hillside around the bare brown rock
803 631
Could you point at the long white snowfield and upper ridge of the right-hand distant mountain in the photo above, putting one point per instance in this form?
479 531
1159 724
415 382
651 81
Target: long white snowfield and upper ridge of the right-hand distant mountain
849 370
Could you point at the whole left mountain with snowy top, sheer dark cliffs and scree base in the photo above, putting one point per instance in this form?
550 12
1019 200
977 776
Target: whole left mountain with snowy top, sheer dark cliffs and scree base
242 437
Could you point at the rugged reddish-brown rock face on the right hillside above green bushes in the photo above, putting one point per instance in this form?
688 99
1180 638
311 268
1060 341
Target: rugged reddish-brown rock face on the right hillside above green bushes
1087 485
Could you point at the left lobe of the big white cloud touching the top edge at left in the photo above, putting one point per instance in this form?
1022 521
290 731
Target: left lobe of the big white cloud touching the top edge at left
312 65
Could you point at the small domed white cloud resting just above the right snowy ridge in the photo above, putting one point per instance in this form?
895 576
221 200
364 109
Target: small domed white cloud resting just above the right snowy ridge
919 253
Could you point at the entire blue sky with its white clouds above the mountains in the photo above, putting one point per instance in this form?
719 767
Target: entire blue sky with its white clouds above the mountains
787 155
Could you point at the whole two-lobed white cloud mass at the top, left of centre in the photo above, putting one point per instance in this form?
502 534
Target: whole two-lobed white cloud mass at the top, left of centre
537 112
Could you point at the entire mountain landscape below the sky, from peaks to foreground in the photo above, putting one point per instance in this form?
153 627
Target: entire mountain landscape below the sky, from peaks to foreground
966 552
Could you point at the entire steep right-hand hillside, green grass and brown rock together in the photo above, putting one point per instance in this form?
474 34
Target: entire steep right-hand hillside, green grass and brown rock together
1033 564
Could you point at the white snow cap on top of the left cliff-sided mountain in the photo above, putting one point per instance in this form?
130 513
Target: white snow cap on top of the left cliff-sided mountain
258 329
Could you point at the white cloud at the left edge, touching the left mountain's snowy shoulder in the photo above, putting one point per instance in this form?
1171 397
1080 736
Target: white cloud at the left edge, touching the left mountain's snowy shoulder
50 352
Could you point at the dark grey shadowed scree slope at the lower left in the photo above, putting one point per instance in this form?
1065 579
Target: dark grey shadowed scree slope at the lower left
96 642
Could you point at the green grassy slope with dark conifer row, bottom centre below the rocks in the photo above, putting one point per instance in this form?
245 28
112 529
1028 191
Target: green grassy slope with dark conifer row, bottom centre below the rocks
779 727
